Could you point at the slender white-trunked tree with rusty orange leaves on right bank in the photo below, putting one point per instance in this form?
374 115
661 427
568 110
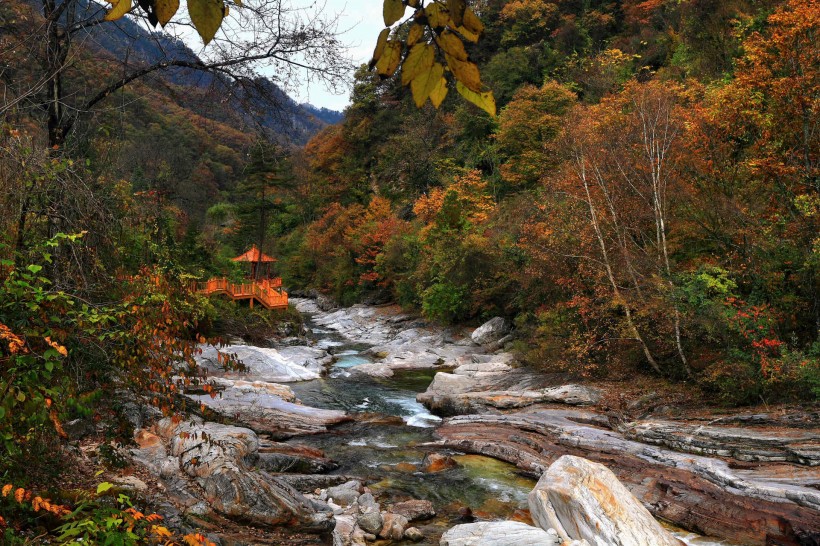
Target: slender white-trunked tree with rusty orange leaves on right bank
623 156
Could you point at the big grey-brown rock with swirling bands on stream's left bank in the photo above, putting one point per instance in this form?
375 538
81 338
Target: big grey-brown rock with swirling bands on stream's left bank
219 458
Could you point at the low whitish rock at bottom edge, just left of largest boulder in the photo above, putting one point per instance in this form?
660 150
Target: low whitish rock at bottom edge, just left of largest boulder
498 533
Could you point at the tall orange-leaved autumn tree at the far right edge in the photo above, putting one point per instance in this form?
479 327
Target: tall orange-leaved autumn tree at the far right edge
755 144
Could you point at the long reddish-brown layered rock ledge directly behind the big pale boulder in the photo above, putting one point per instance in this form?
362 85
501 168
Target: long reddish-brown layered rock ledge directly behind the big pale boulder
753 505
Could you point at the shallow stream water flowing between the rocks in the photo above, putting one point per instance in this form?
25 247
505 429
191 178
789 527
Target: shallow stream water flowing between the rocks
383 446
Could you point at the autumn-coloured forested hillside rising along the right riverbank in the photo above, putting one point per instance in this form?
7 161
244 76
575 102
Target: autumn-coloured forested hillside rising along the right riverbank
645 200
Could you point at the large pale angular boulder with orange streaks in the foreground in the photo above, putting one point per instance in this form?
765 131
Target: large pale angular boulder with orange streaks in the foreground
583 500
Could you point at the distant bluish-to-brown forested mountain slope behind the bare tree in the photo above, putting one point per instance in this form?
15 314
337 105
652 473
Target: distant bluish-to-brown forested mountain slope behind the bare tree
162 133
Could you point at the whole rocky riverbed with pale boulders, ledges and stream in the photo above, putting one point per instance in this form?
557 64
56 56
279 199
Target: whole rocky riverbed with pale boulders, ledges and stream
374 426
